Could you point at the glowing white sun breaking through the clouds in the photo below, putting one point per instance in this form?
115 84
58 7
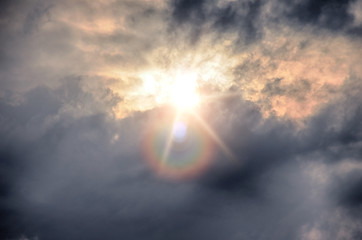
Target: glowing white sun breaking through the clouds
183 92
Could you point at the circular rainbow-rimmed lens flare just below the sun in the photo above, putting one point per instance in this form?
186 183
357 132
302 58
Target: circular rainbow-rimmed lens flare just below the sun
177 149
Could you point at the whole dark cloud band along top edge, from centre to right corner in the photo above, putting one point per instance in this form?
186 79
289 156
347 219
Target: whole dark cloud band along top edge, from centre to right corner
249 18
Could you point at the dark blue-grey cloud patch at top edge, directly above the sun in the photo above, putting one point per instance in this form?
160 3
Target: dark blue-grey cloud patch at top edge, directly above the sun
236 16
